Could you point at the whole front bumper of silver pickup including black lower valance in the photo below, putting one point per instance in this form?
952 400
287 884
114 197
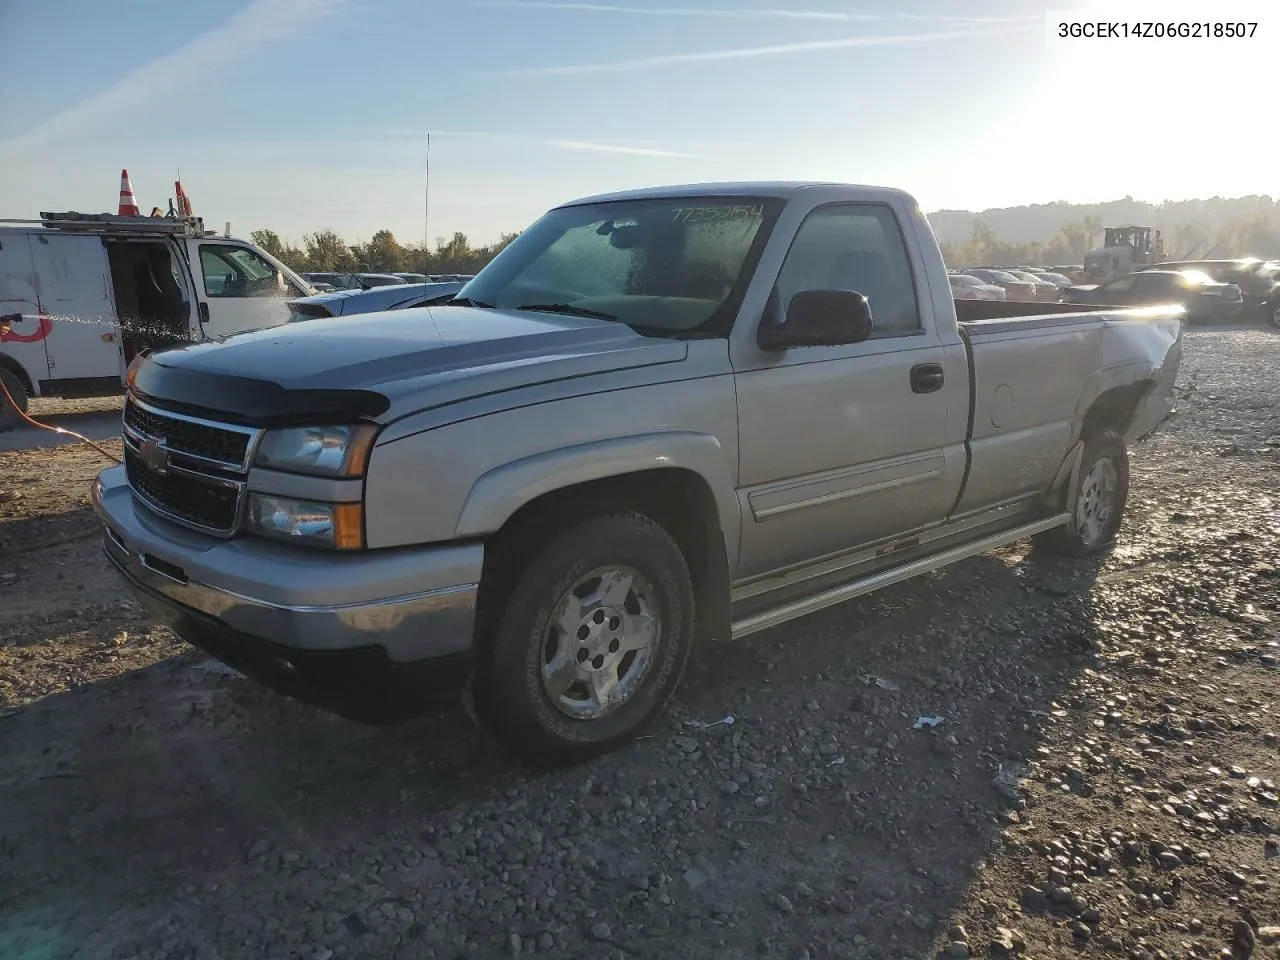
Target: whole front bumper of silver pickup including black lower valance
374 637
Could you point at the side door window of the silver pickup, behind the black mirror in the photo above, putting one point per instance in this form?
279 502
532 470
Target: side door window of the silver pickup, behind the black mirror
854 248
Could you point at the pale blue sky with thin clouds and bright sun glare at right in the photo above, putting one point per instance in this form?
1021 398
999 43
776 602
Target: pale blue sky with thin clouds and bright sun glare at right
309 115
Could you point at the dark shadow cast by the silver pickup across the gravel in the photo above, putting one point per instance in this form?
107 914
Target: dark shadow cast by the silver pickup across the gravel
819 810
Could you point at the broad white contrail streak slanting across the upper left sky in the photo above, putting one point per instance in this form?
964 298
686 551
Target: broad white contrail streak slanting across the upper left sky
259 24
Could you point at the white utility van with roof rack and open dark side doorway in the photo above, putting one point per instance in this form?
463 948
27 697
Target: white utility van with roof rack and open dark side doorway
83 294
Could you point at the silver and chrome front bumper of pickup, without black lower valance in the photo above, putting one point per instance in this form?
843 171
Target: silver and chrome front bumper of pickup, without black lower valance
414 605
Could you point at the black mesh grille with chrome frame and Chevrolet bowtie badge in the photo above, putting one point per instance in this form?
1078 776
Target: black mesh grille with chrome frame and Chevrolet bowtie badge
189 470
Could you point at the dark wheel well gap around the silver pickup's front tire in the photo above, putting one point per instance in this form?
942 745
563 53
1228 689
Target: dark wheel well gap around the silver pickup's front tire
679 500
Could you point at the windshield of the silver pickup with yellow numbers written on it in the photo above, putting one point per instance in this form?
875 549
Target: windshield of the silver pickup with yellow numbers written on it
674 266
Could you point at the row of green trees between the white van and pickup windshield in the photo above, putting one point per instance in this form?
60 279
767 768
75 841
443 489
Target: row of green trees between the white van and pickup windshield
326 252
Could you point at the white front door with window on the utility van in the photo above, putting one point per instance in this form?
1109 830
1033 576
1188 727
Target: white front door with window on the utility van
243 290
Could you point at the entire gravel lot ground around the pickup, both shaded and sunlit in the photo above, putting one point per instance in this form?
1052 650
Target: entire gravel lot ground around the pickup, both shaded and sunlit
1104 783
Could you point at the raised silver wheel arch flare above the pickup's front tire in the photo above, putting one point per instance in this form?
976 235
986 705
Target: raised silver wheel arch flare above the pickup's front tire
497 495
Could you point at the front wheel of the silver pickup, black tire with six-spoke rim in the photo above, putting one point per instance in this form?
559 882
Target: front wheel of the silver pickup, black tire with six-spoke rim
546 715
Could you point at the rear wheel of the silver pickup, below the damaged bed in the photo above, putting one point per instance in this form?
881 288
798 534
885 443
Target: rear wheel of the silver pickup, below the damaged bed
1103 487
